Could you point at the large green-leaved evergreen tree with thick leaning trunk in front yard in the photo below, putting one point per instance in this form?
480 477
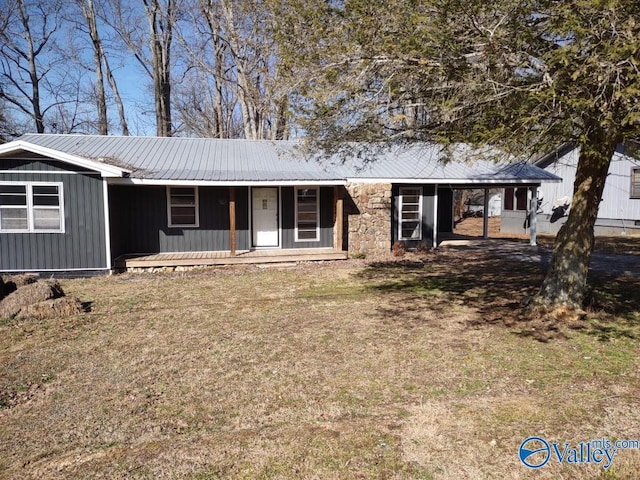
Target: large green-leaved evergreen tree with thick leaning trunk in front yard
522 76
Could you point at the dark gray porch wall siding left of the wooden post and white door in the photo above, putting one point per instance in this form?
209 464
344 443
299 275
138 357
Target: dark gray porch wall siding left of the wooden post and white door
139 222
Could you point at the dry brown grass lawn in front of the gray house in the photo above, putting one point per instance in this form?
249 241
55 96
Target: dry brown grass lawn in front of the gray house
412 369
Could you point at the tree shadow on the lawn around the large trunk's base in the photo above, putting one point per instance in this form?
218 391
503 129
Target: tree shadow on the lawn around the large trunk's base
498 289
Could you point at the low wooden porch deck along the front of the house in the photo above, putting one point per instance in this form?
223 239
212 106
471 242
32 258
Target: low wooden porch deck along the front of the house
192 259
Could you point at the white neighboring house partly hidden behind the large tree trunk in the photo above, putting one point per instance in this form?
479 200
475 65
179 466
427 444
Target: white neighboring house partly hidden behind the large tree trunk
619 211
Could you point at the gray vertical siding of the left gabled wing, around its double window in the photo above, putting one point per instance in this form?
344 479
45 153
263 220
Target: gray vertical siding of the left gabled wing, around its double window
82 245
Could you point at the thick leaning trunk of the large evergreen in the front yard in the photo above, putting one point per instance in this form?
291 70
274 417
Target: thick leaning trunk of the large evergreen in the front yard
566 279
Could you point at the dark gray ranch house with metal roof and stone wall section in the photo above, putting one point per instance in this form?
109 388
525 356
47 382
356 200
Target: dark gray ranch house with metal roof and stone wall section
75 202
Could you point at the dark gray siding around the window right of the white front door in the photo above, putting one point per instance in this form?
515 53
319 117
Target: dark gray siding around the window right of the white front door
288 219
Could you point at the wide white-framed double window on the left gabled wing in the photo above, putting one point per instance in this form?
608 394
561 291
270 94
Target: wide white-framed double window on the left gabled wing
31 207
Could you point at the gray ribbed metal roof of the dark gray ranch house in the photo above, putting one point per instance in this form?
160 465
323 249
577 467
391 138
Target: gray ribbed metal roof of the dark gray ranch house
177 159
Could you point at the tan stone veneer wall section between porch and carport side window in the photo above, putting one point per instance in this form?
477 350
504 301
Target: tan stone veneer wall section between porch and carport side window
369 227
